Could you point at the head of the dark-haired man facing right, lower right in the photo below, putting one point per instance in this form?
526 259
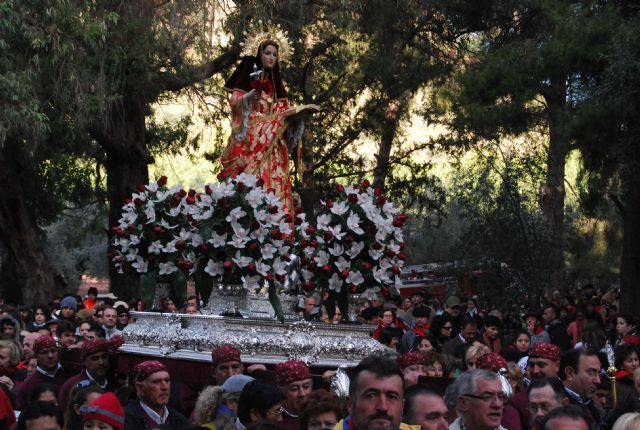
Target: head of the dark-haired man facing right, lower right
580 372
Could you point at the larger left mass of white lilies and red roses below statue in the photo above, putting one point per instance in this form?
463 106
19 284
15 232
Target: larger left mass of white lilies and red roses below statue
234 231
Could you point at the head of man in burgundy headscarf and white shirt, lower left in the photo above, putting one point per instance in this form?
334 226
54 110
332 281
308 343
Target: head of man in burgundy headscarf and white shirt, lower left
153 384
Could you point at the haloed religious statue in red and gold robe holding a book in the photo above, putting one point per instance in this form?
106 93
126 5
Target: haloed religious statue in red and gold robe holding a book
261 114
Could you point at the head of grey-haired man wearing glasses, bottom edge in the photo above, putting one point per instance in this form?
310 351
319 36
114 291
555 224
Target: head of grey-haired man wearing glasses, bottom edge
480 399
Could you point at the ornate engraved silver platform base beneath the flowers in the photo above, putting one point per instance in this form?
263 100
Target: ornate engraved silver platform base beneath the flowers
261 340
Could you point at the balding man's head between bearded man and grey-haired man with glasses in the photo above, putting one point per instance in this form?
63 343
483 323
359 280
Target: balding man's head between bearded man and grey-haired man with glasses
425 408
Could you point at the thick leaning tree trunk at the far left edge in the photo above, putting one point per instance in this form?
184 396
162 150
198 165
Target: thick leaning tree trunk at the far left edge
25 273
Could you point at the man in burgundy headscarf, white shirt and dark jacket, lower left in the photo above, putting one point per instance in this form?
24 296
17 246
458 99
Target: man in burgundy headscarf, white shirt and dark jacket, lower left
153 385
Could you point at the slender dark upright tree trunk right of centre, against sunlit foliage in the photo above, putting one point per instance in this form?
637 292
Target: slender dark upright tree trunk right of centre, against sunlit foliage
552 192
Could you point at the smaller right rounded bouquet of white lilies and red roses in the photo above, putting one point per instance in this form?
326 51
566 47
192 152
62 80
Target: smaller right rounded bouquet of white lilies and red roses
355 244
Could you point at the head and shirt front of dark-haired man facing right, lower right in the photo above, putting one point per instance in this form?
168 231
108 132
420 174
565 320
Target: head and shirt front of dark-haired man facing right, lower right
580 374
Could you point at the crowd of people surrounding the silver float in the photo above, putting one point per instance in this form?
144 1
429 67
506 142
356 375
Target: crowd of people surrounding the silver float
448 364
